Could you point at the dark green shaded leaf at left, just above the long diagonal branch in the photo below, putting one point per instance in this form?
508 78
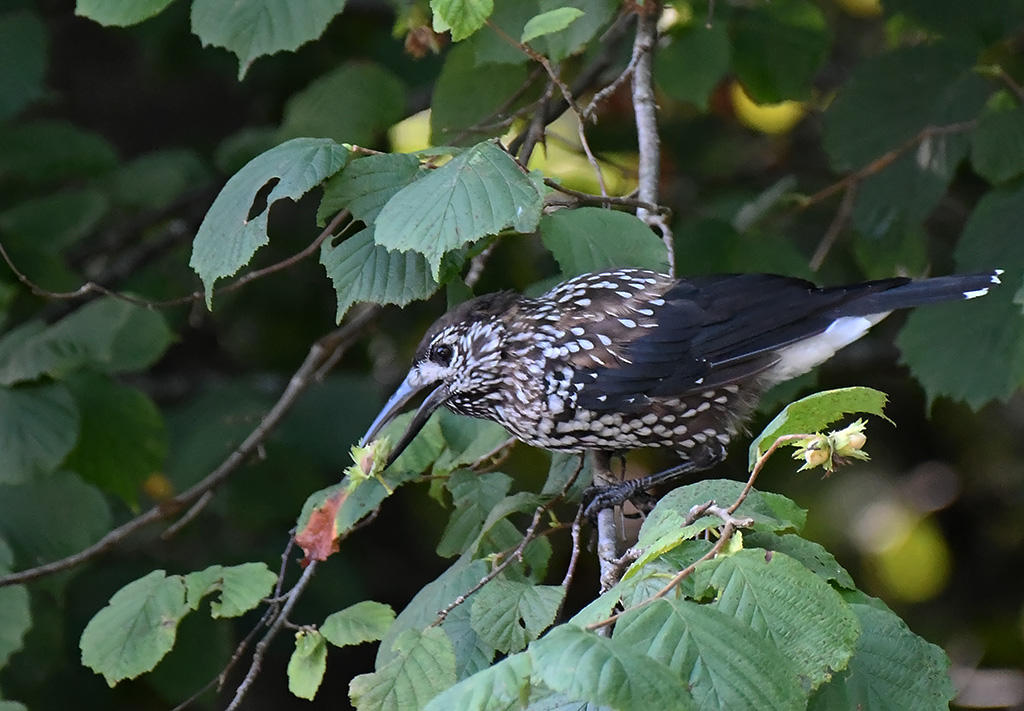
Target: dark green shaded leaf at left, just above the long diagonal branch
122 439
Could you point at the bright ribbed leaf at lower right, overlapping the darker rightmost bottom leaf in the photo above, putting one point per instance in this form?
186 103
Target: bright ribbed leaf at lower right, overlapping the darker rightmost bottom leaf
781 600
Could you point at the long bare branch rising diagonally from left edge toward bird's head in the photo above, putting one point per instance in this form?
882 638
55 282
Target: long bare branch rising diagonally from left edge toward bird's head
339 339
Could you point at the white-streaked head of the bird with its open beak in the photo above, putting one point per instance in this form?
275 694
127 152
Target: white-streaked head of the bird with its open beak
459 358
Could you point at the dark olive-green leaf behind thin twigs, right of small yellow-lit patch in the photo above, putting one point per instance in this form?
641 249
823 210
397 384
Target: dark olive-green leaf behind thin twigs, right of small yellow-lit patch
468 95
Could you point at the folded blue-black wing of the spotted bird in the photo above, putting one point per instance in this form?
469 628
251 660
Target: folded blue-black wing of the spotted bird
699 334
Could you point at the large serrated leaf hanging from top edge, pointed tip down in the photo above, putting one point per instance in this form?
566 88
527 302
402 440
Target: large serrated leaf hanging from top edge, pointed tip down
251 29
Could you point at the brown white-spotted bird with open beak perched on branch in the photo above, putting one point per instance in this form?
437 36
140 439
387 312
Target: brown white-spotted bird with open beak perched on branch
626 359
